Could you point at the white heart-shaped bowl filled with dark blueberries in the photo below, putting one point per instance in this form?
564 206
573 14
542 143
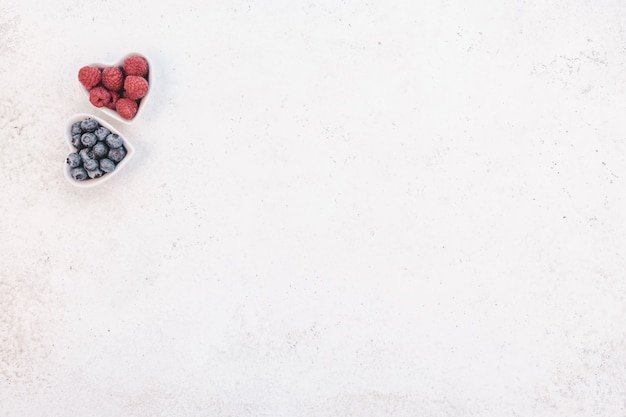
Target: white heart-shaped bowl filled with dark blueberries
97 152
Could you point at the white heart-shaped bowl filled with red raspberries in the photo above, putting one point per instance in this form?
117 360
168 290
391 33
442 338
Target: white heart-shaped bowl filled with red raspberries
118 90
